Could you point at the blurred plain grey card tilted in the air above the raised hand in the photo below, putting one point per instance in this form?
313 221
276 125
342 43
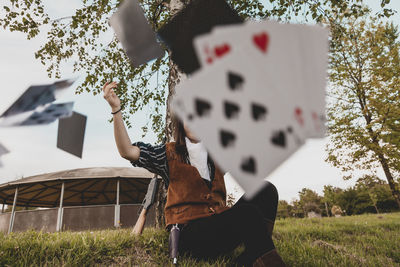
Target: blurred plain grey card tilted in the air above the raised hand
135 34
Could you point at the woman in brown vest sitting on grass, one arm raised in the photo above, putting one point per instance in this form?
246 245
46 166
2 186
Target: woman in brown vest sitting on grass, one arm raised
196 196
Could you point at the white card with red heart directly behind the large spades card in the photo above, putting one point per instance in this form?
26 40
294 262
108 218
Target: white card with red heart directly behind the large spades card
272 47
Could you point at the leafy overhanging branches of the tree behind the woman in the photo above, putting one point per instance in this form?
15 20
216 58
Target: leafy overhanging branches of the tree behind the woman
79 38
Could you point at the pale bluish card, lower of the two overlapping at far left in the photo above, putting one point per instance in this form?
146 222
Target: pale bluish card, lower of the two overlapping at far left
49 114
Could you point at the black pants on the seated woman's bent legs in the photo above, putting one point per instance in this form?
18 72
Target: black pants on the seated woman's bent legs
244 223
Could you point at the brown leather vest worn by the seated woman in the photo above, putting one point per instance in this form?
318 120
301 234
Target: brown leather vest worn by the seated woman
188 196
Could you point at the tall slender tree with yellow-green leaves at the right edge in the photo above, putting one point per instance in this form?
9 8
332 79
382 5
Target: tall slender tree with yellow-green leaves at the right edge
364 106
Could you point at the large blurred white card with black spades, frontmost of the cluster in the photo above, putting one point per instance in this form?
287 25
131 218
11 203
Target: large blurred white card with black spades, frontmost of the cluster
243 119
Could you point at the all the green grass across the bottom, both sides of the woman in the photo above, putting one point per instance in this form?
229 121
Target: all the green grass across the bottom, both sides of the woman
365 240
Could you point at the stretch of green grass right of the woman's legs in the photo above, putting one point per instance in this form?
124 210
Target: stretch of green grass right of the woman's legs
364 240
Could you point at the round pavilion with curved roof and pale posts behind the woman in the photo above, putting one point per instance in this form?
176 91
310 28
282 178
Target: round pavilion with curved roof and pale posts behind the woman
79 199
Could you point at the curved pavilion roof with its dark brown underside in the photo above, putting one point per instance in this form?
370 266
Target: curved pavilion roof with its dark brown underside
82 187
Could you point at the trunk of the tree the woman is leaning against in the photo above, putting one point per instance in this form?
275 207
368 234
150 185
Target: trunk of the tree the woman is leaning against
173 79
